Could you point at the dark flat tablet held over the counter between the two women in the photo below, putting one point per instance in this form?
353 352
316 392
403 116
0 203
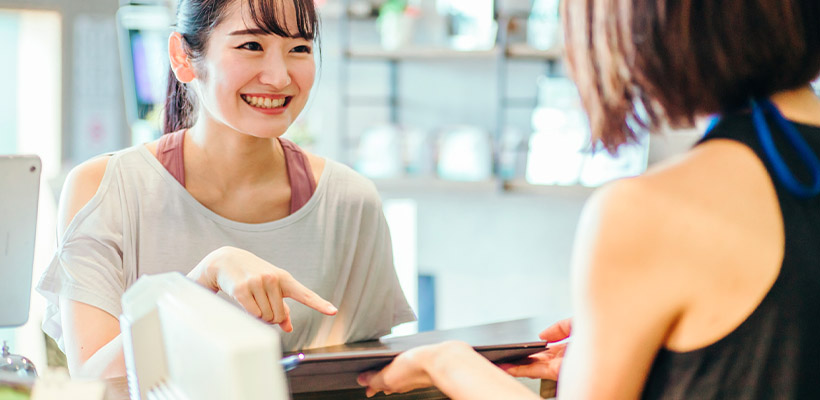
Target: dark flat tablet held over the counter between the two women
337 367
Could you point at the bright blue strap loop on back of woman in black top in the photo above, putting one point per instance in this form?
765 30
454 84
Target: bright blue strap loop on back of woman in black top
781 170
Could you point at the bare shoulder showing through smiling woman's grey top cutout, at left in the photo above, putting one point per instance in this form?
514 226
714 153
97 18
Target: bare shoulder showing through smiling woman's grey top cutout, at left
80 186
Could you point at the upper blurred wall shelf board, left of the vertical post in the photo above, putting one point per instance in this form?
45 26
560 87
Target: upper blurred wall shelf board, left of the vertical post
417 53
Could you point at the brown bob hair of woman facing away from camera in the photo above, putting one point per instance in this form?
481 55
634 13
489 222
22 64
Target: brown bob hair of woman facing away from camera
640 64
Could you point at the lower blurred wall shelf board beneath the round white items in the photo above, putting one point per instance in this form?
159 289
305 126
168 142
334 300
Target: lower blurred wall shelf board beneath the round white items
425 186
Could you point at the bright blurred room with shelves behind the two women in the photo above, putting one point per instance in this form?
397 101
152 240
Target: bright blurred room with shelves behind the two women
459 110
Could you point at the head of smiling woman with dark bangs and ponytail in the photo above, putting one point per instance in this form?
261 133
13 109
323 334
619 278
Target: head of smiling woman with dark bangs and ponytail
265 57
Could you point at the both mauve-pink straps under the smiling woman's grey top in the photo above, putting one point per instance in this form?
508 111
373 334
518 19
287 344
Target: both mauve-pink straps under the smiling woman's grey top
302 182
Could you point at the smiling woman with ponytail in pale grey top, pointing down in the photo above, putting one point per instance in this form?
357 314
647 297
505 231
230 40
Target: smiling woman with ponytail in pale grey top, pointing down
222 198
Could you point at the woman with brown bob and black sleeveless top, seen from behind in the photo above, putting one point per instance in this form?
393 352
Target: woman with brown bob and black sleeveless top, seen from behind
701 278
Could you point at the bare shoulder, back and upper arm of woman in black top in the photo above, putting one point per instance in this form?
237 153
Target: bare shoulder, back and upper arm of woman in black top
674 260
